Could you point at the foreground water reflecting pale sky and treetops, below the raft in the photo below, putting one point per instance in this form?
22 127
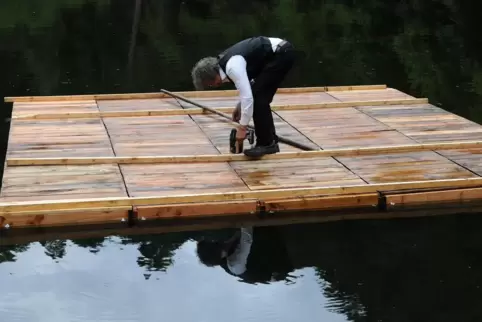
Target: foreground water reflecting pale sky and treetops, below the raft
396 270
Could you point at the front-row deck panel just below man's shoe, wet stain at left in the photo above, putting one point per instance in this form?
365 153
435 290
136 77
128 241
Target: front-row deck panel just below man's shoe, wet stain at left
294 173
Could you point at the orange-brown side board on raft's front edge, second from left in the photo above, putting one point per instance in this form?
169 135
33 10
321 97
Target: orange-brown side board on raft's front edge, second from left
189 210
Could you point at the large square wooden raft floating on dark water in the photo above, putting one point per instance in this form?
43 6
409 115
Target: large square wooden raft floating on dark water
93 159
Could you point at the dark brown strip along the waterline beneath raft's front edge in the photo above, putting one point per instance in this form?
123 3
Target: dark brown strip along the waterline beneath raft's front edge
24 236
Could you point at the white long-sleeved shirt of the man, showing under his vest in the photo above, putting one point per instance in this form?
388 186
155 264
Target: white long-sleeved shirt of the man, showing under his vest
236 70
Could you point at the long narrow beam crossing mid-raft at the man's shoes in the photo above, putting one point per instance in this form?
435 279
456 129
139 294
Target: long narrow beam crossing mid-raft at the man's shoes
341 152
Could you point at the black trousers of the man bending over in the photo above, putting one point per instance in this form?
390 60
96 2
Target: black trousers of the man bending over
264 88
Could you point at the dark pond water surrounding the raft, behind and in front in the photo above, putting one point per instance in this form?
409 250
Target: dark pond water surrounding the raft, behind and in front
410 270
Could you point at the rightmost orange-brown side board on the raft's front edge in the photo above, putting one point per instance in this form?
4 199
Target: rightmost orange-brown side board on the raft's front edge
429 197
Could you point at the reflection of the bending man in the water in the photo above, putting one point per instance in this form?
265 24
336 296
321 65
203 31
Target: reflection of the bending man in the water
255 255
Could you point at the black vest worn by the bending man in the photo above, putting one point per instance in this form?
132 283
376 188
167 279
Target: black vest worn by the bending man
256 51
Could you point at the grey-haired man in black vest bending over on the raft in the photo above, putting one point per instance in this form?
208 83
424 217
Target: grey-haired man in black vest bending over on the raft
256 66
